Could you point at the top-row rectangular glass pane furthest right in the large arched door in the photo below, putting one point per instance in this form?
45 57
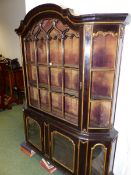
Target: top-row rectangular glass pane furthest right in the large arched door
71 53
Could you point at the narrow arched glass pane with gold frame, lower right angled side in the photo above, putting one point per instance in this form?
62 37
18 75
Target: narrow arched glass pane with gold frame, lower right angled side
98 164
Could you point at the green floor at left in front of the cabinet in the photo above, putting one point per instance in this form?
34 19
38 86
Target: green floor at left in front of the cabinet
12 160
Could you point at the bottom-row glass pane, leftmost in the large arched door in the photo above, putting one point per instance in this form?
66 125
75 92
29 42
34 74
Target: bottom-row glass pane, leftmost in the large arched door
33 95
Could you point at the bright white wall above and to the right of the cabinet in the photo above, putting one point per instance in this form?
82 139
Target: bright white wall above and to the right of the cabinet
123 112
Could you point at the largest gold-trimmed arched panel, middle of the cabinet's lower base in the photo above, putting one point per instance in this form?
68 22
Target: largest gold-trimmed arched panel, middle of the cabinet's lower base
63 149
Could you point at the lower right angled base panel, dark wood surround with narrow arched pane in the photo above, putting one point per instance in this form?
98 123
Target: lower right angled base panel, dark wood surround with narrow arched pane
98 157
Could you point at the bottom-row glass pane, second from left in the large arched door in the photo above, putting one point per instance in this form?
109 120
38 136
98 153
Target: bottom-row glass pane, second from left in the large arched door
44 99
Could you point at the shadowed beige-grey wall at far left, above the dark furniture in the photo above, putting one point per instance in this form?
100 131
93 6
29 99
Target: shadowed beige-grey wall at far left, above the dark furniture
11 12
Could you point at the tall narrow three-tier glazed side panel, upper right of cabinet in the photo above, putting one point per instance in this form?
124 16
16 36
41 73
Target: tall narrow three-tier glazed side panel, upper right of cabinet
103 66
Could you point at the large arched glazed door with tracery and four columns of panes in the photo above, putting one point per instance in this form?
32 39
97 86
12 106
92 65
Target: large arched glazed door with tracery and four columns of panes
52 58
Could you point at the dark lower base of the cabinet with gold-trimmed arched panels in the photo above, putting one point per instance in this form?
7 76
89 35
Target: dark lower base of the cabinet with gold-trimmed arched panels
75 152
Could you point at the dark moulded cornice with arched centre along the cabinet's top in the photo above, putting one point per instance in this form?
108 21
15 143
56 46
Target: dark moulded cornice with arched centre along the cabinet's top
67 17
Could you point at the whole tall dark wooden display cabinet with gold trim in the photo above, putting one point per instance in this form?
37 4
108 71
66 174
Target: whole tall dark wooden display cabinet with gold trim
71 69
